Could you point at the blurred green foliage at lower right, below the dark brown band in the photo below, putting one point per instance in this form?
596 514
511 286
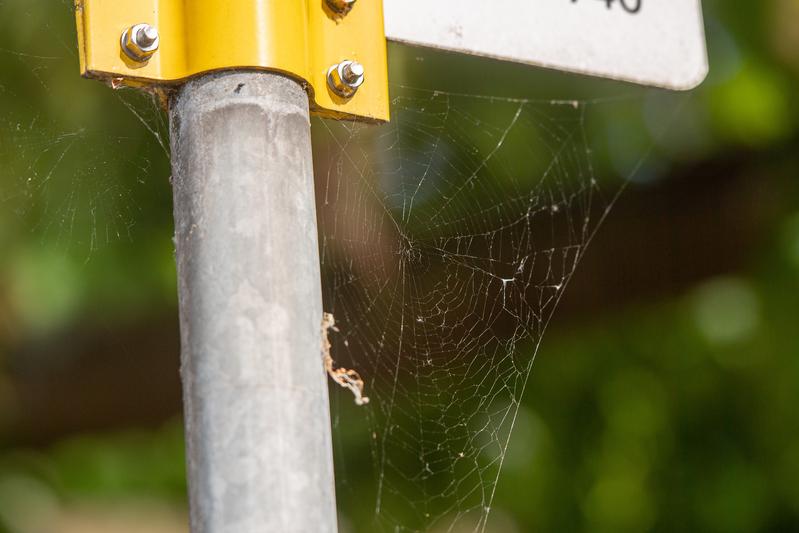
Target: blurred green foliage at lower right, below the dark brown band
670 417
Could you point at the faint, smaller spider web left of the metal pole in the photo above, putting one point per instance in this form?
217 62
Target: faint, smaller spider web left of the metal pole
66 169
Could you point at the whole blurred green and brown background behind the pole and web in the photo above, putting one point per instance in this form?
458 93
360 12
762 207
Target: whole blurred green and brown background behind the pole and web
665 393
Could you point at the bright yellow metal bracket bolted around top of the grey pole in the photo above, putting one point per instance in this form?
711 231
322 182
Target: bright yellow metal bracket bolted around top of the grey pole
300 38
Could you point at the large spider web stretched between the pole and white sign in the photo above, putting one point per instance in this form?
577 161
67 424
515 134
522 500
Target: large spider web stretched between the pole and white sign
447 239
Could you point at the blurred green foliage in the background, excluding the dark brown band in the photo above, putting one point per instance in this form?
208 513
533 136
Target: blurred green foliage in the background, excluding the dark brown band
676 414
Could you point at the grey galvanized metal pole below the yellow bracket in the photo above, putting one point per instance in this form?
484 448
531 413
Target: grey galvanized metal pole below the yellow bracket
255 393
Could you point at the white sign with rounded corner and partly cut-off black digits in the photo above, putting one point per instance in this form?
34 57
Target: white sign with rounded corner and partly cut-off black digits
653 42
